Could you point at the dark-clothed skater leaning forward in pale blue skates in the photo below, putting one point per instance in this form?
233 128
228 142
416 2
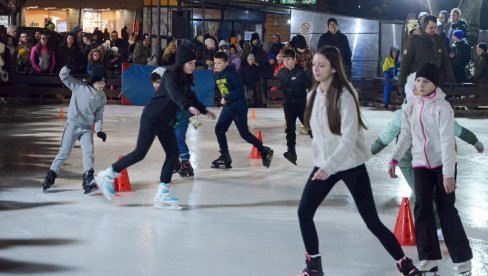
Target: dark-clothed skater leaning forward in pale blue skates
157 119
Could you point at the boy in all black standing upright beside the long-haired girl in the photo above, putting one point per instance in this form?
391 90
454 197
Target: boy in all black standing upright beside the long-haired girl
294 82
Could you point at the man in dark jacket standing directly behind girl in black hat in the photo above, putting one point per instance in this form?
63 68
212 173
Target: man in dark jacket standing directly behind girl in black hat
427 46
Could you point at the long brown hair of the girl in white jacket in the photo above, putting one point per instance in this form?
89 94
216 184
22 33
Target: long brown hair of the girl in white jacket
332 96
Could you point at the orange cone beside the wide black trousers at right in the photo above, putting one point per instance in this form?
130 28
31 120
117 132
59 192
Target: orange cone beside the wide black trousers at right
404 228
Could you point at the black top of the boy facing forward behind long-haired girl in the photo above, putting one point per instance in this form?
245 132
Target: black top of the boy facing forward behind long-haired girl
294 84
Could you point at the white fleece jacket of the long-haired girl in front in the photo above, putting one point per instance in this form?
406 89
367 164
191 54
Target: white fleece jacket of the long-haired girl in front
334 153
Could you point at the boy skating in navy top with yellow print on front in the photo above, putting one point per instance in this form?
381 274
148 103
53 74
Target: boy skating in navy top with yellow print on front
234 110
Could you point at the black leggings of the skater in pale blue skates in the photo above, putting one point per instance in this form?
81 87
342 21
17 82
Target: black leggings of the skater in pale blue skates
147 132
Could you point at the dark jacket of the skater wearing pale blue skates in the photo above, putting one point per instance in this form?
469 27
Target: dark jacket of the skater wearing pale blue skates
171 97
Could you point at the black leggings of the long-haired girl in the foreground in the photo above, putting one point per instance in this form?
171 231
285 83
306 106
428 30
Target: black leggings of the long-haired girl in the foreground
357 181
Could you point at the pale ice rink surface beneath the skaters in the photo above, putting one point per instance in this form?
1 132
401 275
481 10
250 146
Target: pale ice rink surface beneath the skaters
240 221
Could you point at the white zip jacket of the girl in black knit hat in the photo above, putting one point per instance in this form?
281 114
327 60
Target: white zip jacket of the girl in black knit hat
428 126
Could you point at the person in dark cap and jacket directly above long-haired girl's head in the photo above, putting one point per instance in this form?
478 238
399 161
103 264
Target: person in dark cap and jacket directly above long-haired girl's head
334 37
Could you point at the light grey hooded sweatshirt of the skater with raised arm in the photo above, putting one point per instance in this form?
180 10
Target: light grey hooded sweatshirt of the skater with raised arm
86 104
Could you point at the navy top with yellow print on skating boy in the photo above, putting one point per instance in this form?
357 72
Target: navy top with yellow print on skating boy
231 88
